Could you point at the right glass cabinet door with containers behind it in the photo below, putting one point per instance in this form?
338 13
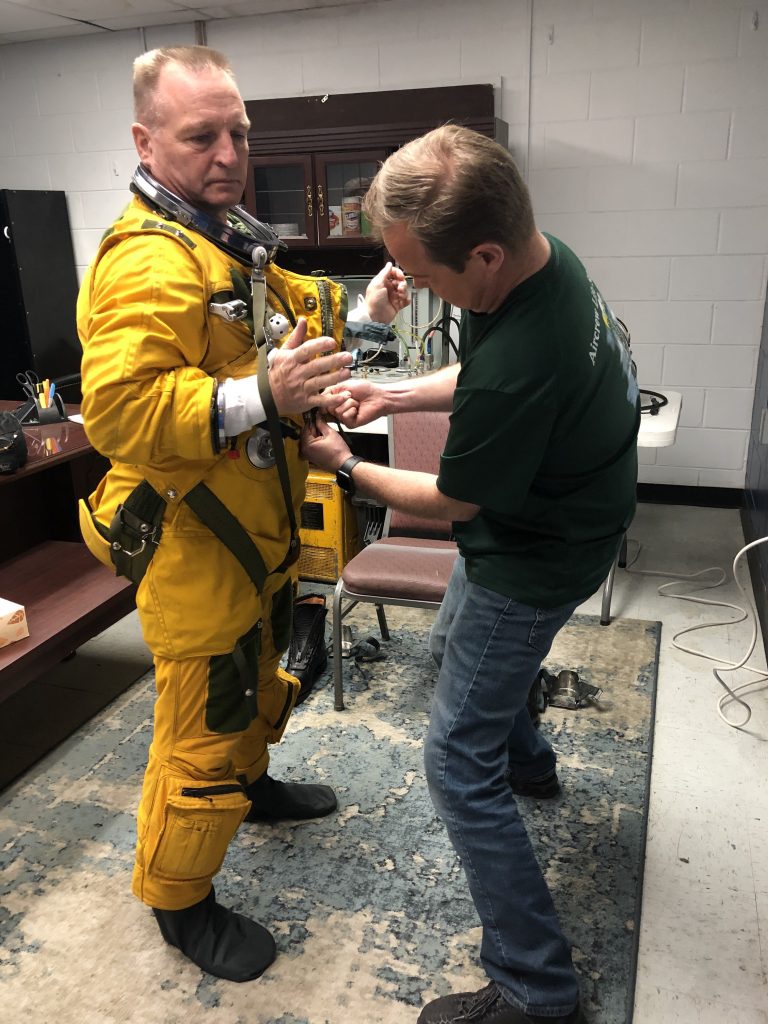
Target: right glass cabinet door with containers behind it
343 180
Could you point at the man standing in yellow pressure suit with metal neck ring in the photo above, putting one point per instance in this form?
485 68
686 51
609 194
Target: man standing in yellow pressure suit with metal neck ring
201 503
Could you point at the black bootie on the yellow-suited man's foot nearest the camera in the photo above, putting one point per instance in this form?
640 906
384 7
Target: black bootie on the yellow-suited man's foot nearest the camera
220 942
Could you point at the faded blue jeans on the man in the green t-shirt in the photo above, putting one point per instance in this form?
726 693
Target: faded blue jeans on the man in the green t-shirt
489 650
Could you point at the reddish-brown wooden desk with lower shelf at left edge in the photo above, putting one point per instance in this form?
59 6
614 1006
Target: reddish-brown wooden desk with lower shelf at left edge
45 566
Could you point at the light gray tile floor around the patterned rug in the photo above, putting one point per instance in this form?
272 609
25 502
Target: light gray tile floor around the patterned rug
704 944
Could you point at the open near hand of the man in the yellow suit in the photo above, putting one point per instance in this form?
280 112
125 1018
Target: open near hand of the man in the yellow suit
300 371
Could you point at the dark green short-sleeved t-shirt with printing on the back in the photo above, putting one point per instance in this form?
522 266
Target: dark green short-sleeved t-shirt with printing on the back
543 438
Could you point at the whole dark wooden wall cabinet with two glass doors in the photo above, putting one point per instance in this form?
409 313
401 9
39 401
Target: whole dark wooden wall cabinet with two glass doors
309 155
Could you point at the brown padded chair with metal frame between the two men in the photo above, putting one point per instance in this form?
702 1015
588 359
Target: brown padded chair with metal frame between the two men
412 563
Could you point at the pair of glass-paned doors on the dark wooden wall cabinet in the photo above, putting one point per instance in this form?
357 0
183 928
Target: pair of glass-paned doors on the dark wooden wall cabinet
314 200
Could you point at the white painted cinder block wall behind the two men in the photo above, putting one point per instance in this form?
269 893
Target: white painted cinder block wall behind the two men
643 126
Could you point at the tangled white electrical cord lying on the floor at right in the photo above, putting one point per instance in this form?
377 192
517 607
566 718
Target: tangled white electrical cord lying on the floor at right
733 694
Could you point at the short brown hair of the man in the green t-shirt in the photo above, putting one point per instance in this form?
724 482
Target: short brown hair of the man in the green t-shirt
454 189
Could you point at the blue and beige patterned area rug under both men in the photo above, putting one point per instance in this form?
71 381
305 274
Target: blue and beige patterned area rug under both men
369 908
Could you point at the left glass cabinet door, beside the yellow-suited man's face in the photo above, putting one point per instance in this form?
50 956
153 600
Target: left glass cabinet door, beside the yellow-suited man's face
280 192
